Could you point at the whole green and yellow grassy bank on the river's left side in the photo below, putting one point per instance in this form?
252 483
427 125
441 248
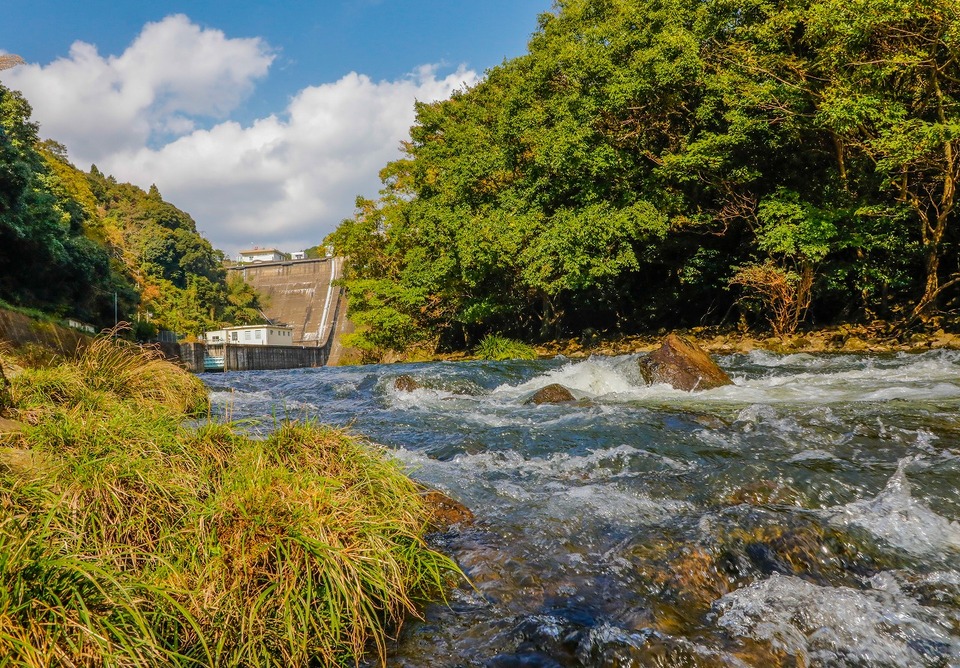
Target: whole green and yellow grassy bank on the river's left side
129 537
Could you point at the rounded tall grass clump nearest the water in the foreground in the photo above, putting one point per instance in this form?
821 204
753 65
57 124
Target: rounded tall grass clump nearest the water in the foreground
319 551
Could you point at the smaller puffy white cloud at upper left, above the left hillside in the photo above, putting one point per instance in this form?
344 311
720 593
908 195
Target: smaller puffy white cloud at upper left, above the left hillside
173 72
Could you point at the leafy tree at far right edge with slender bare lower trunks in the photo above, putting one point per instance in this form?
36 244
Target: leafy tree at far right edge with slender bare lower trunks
892 94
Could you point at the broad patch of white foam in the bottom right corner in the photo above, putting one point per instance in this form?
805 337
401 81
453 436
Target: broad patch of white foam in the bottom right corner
831 625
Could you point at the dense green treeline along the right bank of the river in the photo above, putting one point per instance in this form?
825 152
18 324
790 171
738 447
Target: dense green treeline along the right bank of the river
676 163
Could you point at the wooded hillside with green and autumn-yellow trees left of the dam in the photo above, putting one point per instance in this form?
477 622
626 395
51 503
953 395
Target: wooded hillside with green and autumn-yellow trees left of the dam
74 243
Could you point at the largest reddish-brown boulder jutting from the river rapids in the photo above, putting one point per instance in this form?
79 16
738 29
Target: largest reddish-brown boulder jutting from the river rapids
684 365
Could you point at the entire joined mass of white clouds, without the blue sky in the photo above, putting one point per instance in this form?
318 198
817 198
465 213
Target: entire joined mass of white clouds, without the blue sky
286 179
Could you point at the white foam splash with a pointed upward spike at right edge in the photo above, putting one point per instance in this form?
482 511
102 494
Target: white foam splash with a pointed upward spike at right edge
898 519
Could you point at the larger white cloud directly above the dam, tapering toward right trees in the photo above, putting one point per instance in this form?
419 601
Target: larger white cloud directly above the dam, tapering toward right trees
290 178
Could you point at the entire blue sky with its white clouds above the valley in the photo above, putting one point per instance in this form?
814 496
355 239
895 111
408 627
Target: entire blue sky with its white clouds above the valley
263 121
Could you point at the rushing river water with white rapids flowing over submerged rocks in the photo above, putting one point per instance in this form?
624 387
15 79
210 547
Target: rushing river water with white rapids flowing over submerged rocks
805 516
